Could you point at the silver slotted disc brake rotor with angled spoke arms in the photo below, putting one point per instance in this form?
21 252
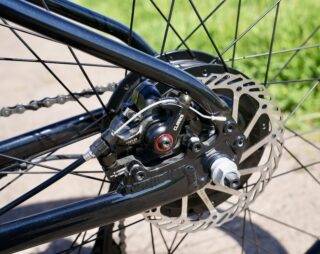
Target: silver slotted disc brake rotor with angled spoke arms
260 120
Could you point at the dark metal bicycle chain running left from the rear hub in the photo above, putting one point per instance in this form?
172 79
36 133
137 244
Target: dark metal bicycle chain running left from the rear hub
47 102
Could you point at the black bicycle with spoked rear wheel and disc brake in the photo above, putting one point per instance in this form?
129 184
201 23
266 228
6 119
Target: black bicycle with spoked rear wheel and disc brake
185 139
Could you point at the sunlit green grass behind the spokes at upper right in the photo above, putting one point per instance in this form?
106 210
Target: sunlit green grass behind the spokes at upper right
297 19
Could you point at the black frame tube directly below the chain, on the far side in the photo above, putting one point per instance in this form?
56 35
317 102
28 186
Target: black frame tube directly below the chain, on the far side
43 140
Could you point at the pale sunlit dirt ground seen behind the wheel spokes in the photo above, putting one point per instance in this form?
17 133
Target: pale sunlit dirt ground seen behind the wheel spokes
292 199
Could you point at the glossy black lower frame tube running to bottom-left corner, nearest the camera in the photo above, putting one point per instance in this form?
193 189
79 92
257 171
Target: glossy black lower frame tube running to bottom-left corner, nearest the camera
87 214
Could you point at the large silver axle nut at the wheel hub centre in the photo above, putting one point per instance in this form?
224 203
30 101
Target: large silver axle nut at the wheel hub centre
225 172
